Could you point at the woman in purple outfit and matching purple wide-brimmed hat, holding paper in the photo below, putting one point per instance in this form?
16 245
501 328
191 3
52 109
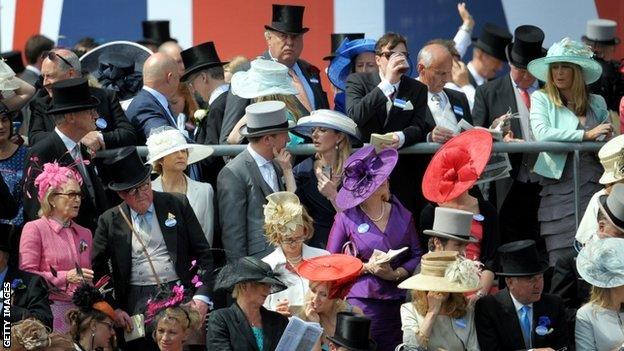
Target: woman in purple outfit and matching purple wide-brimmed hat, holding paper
373 219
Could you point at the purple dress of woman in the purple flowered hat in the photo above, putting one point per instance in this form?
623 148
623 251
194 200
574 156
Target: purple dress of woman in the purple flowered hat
379 299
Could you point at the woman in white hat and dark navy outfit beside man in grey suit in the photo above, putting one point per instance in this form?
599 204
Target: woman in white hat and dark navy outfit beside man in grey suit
319 176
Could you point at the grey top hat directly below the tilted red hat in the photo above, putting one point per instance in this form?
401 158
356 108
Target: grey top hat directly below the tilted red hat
453 224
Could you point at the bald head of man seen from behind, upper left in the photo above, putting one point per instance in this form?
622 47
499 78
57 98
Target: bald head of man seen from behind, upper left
160 72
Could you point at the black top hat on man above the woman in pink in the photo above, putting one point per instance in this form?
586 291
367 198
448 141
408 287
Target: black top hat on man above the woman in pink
72 95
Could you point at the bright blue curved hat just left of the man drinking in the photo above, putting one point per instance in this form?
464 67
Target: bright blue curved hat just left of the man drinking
340 66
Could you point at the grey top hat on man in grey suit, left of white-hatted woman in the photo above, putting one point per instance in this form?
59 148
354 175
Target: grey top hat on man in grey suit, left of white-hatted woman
267 117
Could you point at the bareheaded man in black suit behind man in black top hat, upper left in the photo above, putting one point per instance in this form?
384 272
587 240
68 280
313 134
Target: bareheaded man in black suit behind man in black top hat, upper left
113 129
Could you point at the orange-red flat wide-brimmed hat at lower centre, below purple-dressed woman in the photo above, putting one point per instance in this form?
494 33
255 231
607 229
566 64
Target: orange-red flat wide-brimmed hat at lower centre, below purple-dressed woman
339 269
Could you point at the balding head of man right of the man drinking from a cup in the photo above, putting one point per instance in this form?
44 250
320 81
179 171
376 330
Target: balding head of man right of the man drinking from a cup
435 64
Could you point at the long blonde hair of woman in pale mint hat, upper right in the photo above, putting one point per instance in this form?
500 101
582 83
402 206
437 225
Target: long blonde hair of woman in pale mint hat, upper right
580 94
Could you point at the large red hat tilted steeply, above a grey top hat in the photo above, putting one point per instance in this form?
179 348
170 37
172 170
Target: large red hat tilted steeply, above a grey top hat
457 165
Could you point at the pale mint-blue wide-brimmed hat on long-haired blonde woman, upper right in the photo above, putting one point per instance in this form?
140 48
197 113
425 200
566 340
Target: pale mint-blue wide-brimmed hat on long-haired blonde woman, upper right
571 51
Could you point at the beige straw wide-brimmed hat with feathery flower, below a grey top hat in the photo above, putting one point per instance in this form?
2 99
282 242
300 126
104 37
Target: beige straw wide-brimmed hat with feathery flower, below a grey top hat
445 271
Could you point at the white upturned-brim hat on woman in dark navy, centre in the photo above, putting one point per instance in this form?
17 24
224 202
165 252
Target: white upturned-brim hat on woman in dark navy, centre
327 119
